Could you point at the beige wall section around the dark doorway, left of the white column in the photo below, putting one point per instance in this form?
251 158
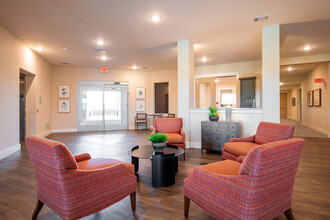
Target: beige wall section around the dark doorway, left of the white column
170 76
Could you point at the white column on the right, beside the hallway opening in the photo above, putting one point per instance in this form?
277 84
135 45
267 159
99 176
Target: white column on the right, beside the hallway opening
271 73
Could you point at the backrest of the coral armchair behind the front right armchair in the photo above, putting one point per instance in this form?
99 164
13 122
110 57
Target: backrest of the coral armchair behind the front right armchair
270 132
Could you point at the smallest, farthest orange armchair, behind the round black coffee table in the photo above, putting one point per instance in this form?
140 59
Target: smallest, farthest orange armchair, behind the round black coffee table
173 128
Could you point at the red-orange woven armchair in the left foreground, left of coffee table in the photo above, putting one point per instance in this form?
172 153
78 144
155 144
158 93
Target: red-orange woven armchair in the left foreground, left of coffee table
74 187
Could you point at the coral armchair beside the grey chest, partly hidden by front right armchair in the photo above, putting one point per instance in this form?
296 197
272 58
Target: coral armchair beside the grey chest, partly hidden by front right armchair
266 132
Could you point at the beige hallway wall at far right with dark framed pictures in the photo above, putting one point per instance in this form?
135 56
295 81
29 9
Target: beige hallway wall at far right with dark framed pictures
316 117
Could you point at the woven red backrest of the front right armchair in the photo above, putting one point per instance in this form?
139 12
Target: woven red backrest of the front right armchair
275 162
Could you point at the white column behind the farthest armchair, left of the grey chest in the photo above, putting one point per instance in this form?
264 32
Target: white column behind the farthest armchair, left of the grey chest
185 84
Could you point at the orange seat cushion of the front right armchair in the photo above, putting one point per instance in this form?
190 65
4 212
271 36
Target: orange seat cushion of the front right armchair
226 167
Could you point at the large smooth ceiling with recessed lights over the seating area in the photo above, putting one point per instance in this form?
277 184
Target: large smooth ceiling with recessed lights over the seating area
220 26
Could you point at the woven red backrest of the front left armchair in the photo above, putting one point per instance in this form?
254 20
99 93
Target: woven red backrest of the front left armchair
50 159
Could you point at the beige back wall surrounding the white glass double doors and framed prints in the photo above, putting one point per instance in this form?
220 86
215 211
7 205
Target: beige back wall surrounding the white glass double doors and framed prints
70 76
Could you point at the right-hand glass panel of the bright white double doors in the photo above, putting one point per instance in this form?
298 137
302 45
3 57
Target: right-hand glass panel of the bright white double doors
115 107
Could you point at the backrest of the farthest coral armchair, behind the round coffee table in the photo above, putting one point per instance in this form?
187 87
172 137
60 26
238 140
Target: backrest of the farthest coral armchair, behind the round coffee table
168 125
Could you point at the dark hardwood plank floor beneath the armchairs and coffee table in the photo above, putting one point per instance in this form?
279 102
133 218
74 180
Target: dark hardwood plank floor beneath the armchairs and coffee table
311 196
